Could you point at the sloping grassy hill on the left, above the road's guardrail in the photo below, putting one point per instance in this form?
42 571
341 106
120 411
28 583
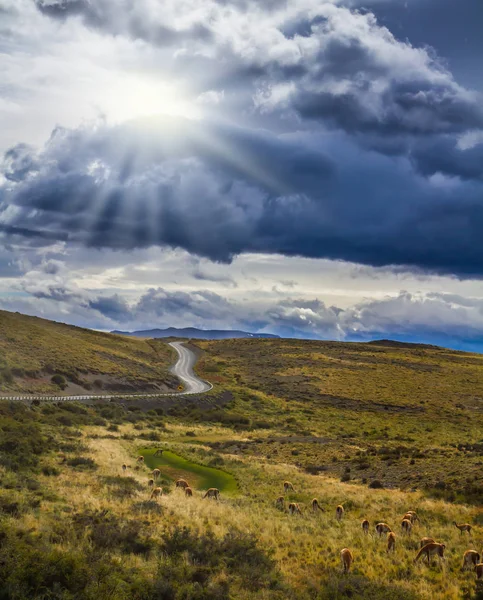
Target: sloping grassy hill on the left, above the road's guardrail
33 351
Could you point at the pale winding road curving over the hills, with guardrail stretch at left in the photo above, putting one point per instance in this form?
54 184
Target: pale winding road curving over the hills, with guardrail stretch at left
183 369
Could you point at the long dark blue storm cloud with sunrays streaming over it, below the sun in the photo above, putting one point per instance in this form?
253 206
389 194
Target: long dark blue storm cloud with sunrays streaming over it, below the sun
217 191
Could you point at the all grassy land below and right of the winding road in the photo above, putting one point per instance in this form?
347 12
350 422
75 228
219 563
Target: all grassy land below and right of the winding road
378 428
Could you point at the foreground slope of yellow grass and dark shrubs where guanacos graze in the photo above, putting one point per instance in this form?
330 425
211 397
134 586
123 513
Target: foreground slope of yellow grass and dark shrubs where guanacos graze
73 525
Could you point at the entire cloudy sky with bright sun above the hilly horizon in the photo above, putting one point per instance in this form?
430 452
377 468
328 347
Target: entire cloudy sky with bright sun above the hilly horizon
309 168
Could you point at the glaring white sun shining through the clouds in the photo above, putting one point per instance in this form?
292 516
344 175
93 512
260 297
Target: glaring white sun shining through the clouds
132 97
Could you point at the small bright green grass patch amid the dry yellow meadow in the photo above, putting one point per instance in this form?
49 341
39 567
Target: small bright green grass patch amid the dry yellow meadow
173 466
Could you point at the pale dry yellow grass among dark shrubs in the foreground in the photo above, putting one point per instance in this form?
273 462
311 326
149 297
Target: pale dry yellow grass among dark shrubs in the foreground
306 547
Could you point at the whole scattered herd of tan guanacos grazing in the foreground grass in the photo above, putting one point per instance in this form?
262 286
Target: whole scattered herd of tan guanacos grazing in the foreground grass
428 546
